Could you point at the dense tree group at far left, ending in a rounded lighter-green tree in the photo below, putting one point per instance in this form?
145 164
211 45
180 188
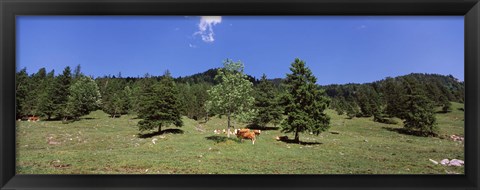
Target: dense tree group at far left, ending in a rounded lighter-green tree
63 97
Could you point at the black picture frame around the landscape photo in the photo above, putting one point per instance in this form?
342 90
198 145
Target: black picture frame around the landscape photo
9 9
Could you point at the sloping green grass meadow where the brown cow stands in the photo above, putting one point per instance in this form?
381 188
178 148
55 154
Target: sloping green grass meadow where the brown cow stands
98 144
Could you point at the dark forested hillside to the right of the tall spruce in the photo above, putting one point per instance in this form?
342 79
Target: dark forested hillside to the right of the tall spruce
387 97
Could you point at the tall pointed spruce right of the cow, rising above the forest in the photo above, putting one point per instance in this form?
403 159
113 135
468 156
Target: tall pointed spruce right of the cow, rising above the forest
305 103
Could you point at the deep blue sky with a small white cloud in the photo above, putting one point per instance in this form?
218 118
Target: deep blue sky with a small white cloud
338 49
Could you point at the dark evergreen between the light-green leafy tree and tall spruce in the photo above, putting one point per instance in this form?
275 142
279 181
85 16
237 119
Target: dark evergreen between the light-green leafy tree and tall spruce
265 103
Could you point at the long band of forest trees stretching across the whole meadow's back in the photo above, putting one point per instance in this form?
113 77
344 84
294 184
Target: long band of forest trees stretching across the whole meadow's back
69 95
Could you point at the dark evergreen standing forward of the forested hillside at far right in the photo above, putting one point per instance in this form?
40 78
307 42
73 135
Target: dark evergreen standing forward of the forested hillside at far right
419 113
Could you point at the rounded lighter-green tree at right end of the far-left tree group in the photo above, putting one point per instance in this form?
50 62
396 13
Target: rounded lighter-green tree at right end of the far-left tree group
84 97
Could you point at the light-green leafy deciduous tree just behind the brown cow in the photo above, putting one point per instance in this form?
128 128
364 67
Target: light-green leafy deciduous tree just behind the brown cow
233 96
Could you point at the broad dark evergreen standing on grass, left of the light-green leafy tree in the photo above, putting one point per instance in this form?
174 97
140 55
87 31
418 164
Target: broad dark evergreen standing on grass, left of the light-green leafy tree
159 105
